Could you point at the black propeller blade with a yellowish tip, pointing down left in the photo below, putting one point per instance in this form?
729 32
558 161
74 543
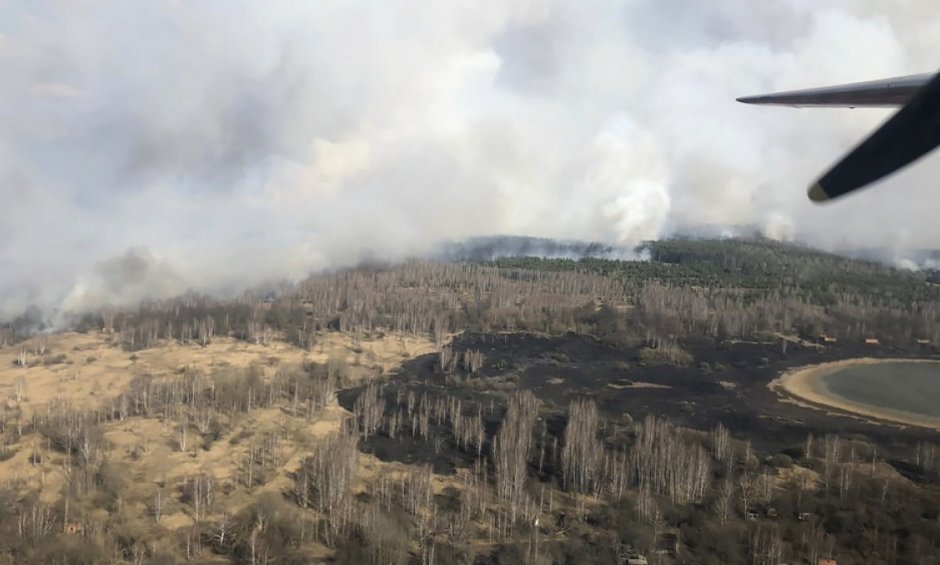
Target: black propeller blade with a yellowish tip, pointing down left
908 135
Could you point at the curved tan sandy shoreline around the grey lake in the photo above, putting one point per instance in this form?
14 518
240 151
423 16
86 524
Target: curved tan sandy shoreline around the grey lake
801 385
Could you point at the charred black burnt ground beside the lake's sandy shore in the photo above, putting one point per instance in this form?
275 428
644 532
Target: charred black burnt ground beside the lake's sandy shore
726 383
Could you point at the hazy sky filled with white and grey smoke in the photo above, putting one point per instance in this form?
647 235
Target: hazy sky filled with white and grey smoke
151 146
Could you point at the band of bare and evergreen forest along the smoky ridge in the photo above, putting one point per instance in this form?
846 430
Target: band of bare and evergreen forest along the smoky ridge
716 289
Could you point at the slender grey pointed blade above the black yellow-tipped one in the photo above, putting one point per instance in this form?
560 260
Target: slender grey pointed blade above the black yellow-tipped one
885 93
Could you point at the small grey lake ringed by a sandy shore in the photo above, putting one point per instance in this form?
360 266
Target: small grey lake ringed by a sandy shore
895 387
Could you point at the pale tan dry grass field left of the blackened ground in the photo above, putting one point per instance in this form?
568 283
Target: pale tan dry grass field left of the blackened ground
86 372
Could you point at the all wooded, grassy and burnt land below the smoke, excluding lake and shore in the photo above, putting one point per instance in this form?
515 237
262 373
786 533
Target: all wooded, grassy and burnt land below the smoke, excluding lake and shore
559 411
